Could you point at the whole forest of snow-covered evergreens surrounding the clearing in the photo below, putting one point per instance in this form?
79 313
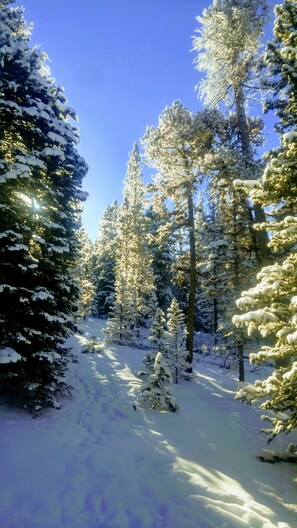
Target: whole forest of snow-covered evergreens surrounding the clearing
199 262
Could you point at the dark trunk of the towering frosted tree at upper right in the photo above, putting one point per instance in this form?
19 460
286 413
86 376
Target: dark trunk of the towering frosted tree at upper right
261 237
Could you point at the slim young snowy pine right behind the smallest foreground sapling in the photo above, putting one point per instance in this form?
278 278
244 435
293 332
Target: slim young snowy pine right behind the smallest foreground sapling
176 337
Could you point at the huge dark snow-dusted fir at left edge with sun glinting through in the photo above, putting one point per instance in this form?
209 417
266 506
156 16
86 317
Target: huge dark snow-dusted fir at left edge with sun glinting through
40 179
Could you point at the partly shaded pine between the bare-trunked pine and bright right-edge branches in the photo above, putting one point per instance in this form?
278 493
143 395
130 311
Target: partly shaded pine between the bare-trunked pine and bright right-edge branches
229 257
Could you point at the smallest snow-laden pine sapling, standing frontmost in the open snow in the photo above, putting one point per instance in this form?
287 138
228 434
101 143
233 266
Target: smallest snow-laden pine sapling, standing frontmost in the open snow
156 388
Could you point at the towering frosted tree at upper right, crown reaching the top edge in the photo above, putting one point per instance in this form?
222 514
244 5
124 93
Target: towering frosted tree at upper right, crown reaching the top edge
227 46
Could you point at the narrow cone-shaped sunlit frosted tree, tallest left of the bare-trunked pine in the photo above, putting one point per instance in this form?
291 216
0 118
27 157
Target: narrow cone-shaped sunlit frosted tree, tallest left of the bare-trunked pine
134 281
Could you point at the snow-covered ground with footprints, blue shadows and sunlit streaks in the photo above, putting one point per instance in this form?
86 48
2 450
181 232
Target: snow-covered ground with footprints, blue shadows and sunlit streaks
98 463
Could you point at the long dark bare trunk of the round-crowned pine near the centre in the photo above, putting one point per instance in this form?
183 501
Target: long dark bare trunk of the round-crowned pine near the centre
192 286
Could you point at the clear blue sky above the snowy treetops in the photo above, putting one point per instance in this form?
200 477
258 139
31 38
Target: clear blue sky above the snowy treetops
120 62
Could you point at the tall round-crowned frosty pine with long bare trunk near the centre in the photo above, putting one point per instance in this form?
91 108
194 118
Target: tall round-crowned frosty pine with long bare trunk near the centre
176 149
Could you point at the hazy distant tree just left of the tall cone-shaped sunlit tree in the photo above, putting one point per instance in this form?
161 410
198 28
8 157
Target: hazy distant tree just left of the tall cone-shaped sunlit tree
104 261
